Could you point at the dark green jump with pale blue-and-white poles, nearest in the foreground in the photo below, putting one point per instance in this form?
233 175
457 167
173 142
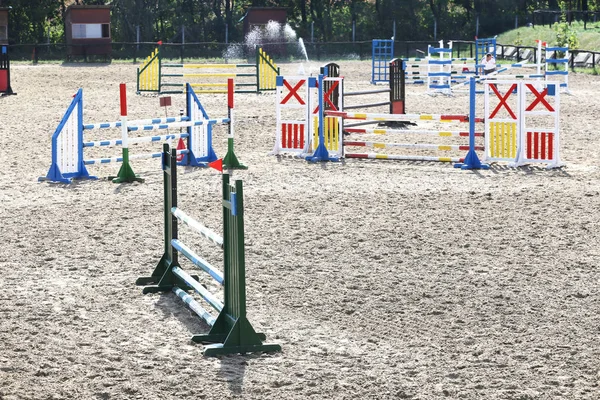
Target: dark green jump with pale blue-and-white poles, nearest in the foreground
230 332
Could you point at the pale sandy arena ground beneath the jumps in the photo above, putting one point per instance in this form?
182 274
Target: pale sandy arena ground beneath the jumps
380 279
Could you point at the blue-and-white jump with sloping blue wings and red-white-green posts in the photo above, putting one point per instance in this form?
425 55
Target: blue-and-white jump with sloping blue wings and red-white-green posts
68 143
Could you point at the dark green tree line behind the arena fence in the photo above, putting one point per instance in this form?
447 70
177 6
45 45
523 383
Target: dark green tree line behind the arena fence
42 21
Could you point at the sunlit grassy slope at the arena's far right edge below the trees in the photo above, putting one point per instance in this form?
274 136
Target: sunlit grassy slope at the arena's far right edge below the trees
589 39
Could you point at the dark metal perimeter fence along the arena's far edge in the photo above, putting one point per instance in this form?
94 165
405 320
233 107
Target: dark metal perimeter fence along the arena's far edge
281 52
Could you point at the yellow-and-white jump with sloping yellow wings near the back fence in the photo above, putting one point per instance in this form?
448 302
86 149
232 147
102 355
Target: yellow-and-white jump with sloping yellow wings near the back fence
151 76
